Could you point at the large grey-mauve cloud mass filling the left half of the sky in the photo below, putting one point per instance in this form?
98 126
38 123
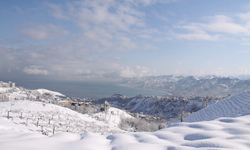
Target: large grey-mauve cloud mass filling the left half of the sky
102 27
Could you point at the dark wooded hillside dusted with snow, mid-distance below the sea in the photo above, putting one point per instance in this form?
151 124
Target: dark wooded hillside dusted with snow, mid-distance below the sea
163 107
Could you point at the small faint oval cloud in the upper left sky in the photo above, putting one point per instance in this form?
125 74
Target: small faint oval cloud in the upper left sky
42 32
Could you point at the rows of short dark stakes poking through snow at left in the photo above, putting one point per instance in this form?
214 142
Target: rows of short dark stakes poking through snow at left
50 122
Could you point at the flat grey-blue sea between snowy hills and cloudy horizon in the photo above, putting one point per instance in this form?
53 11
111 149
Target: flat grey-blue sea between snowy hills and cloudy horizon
87 89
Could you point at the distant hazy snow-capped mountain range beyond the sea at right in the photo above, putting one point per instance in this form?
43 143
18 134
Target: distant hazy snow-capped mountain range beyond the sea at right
187 86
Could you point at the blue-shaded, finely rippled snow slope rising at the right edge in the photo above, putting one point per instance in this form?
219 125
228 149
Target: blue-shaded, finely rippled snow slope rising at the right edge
237 105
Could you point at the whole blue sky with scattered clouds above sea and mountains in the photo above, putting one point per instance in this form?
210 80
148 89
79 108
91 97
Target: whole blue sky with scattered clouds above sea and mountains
114 39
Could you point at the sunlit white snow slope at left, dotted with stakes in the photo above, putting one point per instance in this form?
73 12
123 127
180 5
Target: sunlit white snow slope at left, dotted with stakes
28 113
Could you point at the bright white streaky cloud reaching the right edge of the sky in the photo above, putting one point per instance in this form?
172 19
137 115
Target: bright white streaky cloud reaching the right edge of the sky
215 28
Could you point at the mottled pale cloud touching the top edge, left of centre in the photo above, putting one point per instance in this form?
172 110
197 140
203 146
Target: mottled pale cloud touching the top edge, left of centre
109 14
